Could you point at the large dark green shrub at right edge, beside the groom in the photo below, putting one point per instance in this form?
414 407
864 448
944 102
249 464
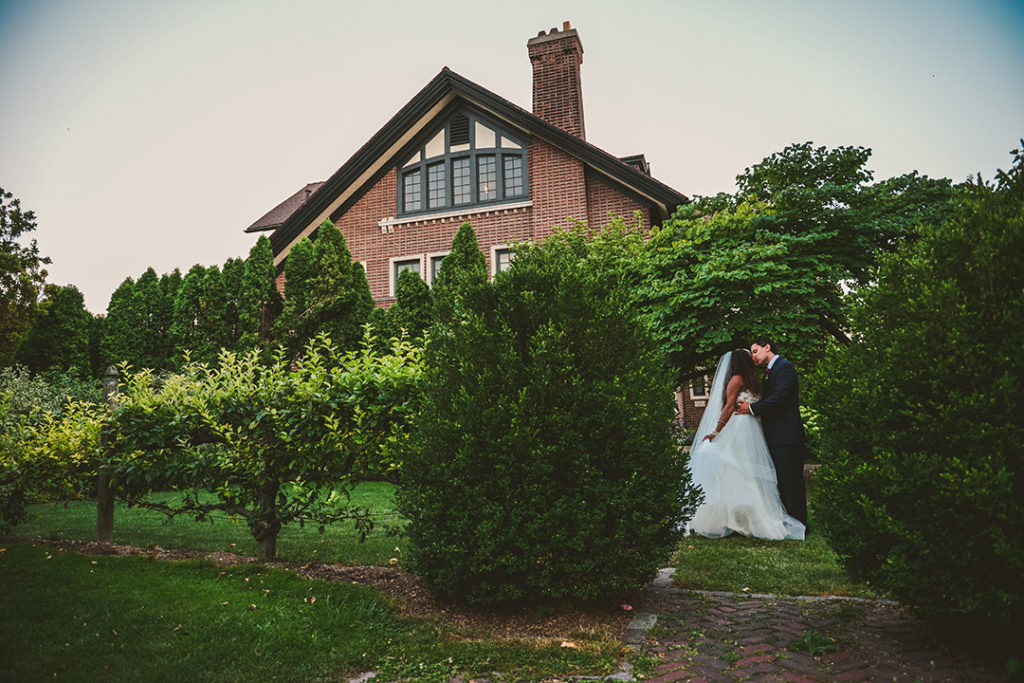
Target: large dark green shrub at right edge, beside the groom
922 423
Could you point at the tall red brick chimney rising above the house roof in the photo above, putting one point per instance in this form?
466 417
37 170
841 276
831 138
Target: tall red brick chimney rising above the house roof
558 95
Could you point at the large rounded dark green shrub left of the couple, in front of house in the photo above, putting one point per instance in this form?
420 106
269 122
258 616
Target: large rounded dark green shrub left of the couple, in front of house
543 463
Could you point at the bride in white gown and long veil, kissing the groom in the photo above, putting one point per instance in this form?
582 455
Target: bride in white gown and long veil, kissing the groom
731 462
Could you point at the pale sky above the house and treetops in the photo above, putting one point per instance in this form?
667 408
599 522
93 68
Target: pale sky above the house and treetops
152 134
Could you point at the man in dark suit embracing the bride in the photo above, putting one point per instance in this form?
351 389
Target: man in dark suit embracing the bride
780 413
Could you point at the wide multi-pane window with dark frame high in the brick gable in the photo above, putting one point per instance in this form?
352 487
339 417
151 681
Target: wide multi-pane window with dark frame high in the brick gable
470 162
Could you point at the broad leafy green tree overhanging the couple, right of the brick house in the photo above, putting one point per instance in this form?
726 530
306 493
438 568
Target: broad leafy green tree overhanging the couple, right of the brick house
777 258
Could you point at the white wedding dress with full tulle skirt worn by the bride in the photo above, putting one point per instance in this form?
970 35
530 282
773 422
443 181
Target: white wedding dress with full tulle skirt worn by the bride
738 477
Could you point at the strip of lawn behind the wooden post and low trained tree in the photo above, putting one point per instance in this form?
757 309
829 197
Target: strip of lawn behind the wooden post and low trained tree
137 527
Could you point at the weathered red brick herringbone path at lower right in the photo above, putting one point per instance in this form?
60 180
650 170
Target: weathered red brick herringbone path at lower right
729 637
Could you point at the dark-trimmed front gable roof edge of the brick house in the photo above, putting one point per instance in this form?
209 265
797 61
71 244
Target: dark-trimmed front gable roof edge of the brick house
445 93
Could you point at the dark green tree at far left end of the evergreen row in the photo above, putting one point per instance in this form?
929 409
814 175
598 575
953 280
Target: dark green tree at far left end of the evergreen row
61 337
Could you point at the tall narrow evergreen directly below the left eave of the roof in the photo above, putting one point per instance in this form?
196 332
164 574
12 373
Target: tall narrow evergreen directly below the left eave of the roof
261 302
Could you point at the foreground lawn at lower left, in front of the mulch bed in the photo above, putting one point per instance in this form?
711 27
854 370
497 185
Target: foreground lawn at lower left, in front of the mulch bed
127 619
